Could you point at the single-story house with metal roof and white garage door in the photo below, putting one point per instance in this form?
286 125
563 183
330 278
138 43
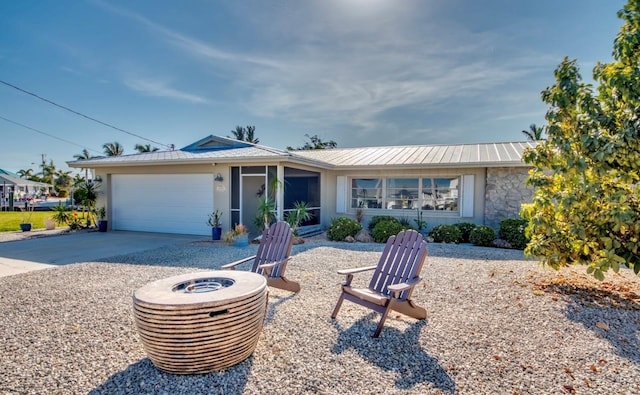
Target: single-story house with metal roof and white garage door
174 191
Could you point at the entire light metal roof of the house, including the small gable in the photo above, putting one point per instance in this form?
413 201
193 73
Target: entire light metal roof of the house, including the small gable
468 155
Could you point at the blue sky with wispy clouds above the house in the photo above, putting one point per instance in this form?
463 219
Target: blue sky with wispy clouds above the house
358 72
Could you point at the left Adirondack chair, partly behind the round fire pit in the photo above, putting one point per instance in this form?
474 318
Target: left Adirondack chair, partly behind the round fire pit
272 257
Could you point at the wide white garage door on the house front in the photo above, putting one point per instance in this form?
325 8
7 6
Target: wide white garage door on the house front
164 203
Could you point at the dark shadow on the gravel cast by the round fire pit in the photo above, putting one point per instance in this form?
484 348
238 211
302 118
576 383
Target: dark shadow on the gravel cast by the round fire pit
144 378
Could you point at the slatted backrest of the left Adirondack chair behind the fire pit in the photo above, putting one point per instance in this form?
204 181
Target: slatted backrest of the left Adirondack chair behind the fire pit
275 245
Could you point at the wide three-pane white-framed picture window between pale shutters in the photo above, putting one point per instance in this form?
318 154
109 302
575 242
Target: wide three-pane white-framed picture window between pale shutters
426 193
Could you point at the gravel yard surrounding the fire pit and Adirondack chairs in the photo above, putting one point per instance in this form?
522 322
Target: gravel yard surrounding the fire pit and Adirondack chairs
497 323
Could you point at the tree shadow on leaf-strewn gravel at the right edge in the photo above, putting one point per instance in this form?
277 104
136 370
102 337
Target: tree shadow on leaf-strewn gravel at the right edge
611 311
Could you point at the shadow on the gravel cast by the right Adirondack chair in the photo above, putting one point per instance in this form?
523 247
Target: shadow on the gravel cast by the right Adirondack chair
394 351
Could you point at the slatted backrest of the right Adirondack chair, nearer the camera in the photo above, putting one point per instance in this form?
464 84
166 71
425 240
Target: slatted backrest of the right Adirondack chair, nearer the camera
402 259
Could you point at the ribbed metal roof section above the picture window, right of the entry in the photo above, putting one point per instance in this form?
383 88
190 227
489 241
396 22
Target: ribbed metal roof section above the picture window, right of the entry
457 155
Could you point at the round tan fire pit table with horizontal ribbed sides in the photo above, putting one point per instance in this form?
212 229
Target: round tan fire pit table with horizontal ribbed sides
201 322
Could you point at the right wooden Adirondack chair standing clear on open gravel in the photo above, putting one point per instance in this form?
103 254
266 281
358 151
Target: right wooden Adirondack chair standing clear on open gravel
394 278
